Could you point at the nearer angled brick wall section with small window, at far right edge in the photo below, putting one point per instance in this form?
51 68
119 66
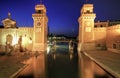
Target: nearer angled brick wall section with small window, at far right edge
113 38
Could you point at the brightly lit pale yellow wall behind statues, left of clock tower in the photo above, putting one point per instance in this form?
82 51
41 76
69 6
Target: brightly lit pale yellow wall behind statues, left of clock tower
15 33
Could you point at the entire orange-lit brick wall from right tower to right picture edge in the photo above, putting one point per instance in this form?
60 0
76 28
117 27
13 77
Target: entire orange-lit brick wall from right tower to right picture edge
107 38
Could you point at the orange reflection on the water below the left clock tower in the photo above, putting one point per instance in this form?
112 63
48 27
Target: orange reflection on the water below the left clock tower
36 68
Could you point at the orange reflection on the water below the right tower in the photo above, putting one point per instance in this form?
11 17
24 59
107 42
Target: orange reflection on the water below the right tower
89 69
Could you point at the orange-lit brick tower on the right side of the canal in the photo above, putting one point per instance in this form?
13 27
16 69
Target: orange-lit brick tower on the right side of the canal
86 28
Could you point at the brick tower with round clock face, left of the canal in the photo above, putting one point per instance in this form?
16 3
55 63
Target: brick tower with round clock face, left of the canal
40 28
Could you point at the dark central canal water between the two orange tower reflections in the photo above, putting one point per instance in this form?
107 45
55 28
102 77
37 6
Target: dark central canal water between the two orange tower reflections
62 63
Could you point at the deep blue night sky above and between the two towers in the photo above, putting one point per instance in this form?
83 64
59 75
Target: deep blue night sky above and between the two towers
62 14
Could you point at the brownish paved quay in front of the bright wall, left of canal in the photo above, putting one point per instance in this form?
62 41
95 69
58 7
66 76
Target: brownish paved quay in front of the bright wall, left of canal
11 64
